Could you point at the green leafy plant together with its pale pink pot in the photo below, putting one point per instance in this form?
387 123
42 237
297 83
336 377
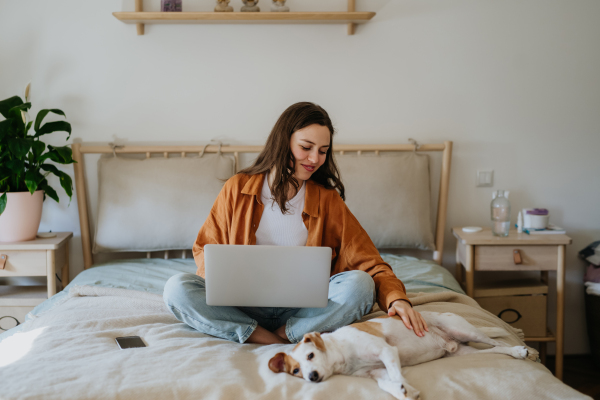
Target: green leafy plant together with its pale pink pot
24 167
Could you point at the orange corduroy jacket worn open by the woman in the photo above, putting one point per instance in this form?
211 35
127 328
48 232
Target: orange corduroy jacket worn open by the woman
236 213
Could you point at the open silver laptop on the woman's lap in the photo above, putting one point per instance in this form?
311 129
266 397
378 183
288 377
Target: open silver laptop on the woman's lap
267 276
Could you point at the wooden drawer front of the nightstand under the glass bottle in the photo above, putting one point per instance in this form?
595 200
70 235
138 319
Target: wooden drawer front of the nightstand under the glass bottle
500 258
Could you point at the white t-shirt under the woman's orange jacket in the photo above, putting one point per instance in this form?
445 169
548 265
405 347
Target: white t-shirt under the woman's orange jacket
278 229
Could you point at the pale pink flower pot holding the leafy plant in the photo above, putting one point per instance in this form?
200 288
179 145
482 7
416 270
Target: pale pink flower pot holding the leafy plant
22 216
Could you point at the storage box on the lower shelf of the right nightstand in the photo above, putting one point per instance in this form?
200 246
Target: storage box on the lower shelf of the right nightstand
522 304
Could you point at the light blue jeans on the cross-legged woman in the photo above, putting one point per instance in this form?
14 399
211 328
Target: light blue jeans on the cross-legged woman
351 295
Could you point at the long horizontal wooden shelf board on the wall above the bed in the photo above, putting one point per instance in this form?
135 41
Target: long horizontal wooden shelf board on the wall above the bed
243 17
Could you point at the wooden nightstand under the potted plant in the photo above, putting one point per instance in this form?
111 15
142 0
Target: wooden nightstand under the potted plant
28 275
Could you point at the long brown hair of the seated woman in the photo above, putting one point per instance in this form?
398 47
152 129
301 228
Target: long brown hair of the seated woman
278 154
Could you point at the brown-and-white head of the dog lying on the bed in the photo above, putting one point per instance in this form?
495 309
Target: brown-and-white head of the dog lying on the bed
308 360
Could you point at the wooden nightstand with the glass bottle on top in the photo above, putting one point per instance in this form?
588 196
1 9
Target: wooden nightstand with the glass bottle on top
481 251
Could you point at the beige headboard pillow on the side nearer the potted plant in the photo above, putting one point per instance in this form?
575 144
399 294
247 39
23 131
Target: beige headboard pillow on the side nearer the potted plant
156 203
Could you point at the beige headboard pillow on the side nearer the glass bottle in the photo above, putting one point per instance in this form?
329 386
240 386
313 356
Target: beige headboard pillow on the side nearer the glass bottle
389 194
